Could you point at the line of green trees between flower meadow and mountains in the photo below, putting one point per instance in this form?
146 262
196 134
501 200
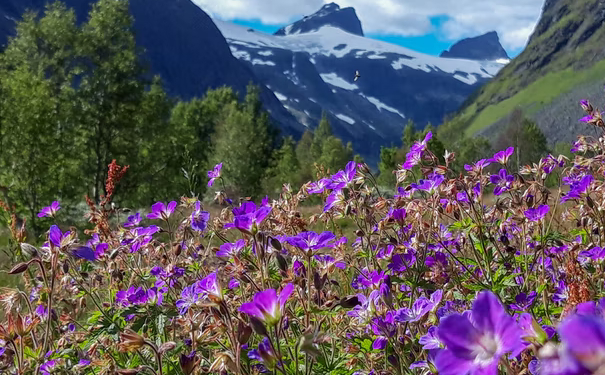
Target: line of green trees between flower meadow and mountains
75 97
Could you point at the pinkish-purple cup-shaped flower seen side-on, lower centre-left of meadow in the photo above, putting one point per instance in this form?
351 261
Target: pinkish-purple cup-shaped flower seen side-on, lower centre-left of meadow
267 306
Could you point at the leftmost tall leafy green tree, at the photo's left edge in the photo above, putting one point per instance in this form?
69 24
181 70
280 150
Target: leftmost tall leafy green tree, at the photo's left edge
38 131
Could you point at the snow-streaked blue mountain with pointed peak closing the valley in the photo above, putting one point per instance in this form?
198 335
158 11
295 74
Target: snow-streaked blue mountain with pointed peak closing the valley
314 71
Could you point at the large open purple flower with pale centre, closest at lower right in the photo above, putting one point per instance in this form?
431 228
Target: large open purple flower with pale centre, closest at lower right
475 343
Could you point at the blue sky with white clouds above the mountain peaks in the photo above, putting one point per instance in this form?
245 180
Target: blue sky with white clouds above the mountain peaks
514 20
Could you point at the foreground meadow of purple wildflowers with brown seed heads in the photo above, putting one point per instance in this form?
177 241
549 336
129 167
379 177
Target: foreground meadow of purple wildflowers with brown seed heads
483 273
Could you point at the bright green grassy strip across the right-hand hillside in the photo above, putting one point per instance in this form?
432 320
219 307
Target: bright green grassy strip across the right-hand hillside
540 93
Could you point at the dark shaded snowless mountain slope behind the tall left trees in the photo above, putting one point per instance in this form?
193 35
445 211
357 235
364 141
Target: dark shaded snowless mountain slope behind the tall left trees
181 44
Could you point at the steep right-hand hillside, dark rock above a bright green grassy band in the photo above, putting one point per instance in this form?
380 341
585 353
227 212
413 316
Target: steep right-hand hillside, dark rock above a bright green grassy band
565 51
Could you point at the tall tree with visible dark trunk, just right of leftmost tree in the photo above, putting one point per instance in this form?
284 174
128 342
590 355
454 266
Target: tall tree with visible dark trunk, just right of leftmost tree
111 89
